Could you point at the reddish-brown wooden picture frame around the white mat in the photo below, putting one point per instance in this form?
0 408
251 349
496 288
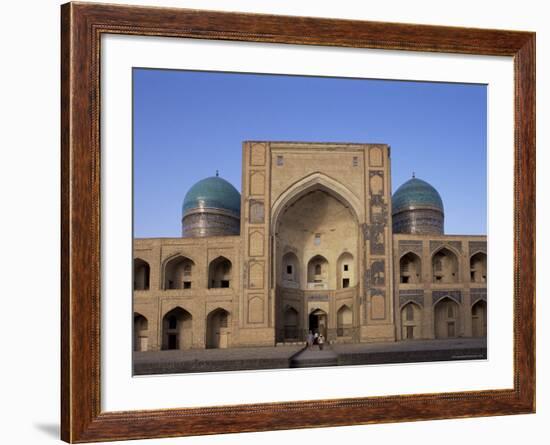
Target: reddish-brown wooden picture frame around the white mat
82 26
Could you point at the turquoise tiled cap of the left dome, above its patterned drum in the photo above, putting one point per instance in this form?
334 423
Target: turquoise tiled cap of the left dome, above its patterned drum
213 193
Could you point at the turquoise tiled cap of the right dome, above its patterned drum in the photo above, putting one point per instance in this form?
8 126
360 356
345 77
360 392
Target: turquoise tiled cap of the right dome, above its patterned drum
416 194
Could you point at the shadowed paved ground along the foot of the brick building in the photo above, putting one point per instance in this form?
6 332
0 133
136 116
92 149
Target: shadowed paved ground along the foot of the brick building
164 362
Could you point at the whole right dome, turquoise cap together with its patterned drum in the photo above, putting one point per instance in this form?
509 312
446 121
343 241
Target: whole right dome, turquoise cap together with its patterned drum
417 208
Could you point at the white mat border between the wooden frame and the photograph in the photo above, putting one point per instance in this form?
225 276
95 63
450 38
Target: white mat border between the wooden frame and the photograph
121 391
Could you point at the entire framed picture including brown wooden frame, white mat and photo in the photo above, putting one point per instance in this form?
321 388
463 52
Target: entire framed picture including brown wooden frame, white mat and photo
274 222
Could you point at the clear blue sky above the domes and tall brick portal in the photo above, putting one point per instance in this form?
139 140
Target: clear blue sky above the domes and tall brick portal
188 124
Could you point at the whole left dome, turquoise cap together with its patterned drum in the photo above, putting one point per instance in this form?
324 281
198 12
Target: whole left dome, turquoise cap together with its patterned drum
211 207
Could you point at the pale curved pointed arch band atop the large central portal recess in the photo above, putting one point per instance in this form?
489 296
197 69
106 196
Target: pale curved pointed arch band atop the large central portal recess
316 181
